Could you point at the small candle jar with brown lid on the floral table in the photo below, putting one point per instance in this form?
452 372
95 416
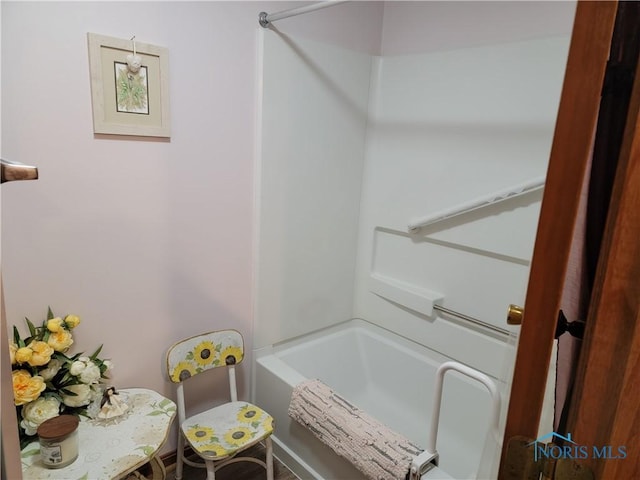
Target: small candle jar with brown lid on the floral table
58 441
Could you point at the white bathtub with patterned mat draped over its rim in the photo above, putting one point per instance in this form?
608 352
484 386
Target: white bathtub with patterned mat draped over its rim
386 375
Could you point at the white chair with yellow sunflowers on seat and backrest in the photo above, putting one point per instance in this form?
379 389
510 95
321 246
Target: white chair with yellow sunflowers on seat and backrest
220 434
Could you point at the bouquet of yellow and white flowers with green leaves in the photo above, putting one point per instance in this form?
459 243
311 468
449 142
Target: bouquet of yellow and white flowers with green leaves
47 382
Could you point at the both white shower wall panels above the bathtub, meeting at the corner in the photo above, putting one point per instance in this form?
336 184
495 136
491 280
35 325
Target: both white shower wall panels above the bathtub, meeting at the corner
355 146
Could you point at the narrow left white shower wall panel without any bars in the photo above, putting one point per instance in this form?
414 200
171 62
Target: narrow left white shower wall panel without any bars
314 116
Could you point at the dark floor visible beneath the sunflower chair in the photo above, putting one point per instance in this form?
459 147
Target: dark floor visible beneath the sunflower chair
238 471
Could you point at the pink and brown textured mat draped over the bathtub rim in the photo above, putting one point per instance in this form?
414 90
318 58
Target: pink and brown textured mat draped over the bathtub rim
373 448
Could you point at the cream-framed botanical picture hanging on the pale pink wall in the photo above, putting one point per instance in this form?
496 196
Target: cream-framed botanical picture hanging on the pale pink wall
129 87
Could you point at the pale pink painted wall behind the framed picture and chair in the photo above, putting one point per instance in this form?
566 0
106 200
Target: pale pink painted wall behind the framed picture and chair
148 241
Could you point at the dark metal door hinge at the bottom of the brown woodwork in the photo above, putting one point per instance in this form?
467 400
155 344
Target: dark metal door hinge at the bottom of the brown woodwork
523 462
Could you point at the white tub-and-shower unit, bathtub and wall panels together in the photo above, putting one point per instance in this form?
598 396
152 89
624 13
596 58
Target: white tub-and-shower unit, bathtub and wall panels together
353 148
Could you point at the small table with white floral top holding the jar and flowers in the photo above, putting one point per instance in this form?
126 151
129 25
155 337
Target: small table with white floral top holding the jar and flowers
115 448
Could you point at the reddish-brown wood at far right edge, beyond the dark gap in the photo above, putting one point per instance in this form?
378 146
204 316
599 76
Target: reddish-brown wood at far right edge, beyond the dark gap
605 406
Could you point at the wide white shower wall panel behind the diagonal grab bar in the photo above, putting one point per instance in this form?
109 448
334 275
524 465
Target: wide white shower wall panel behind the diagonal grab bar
446 128
